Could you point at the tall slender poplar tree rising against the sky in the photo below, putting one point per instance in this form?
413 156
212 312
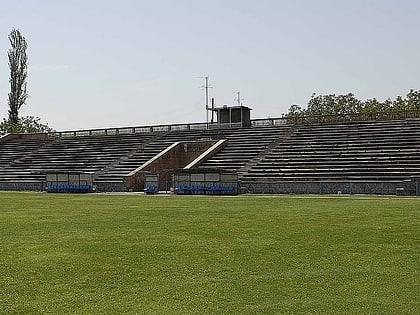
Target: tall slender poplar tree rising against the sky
18 63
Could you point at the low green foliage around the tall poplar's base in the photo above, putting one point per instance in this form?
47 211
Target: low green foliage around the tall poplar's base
27 124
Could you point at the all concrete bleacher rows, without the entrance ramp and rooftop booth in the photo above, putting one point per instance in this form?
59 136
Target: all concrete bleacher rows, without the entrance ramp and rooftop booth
369 152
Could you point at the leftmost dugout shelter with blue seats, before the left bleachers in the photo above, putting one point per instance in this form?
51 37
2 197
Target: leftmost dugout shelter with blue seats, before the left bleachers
70 182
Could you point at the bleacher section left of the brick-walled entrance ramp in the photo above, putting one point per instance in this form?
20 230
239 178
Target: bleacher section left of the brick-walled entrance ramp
109 155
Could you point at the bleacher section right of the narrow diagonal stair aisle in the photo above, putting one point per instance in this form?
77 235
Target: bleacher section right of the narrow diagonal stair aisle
352 151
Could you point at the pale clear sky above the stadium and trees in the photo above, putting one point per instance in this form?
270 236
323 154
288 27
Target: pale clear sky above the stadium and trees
124 63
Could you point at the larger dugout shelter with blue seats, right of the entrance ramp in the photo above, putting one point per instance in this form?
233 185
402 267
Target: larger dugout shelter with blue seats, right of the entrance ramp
205 182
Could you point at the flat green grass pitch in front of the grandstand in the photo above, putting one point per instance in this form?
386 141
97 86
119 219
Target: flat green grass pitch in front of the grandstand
135 254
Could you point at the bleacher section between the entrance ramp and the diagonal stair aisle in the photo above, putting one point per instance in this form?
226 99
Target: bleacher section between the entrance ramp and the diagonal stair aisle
243 145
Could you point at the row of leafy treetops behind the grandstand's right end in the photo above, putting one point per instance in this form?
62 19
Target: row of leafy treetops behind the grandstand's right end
331 107
